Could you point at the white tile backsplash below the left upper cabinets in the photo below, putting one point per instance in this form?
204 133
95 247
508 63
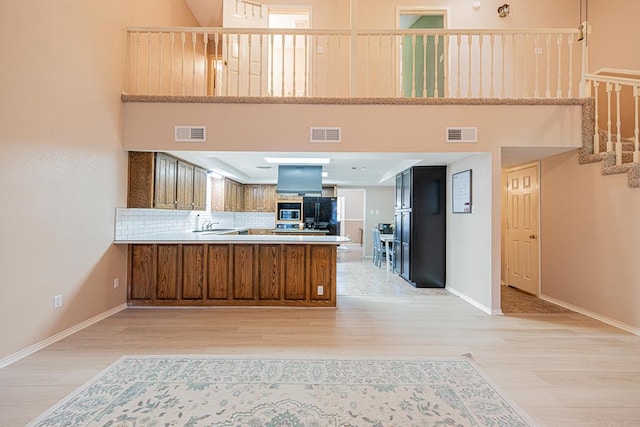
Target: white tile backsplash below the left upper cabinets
131 223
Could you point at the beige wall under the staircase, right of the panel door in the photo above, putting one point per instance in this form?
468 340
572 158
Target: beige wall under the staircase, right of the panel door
589 239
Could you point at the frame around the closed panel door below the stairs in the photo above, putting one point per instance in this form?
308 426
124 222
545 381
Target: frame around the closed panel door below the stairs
505 230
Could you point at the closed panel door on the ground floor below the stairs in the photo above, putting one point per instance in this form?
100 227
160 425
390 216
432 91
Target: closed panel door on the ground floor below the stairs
522 229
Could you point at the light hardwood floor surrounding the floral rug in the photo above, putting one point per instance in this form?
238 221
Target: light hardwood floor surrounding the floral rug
562 369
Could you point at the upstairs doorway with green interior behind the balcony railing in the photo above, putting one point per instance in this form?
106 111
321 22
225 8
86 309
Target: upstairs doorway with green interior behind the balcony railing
422 59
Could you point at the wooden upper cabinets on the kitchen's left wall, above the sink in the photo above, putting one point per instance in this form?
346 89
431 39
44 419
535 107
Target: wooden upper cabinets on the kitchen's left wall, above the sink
157 180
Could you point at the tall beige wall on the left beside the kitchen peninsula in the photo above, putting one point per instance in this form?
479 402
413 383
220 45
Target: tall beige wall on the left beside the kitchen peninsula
63 170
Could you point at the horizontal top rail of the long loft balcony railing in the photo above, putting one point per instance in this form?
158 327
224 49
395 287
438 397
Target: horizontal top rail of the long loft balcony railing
307 31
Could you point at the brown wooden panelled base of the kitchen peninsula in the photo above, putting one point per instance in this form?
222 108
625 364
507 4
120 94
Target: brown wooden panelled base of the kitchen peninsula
300 275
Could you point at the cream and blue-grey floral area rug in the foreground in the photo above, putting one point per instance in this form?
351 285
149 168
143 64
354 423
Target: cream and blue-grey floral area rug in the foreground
208 391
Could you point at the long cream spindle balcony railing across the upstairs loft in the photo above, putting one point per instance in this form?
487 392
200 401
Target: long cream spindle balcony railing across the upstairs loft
532 63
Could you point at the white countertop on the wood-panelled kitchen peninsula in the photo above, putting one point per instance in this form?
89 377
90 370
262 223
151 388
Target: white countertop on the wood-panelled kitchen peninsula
216 236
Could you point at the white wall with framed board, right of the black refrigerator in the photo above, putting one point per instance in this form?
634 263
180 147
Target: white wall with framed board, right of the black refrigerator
471 254
